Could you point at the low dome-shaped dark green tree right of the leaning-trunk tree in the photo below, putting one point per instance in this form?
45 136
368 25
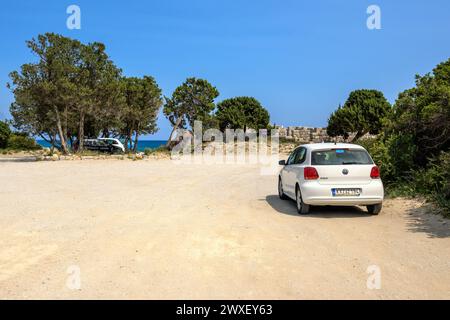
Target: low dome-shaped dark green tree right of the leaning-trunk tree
242 113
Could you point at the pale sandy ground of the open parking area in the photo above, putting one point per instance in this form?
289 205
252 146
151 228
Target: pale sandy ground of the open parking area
155 230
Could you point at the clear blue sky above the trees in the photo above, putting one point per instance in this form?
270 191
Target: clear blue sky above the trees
299 58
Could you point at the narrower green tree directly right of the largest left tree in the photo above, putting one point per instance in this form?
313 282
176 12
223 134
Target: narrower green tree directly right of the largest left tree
142 103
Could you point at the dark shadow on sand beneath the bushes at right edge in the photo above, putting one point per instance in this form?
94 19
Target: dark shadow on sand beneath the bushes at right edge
427 219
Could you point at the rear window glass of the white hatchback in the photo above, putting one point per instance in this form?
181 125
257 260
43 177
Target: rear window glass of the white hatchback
340 157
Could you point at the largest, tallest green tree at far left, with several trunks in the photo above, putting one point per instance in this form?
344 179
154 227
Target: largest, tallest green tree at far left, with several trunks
72 86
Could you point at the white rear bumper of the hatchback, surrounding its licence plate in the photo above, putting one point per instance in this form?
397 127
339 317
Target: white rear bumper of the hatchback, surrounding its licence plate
314 193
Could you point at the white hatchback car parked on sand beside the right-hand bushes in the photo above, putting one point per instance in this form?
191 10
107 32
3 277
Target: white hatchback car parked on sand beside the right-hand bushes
331 174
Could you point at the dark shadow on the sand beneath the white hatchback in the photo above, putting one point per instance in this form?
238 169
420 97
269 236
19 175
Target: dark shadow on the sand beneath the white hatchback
288 207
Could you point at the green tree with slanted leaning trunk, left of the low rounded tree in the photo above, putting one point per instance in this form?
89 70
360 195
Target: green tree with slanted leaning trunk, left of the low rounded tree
193 100
